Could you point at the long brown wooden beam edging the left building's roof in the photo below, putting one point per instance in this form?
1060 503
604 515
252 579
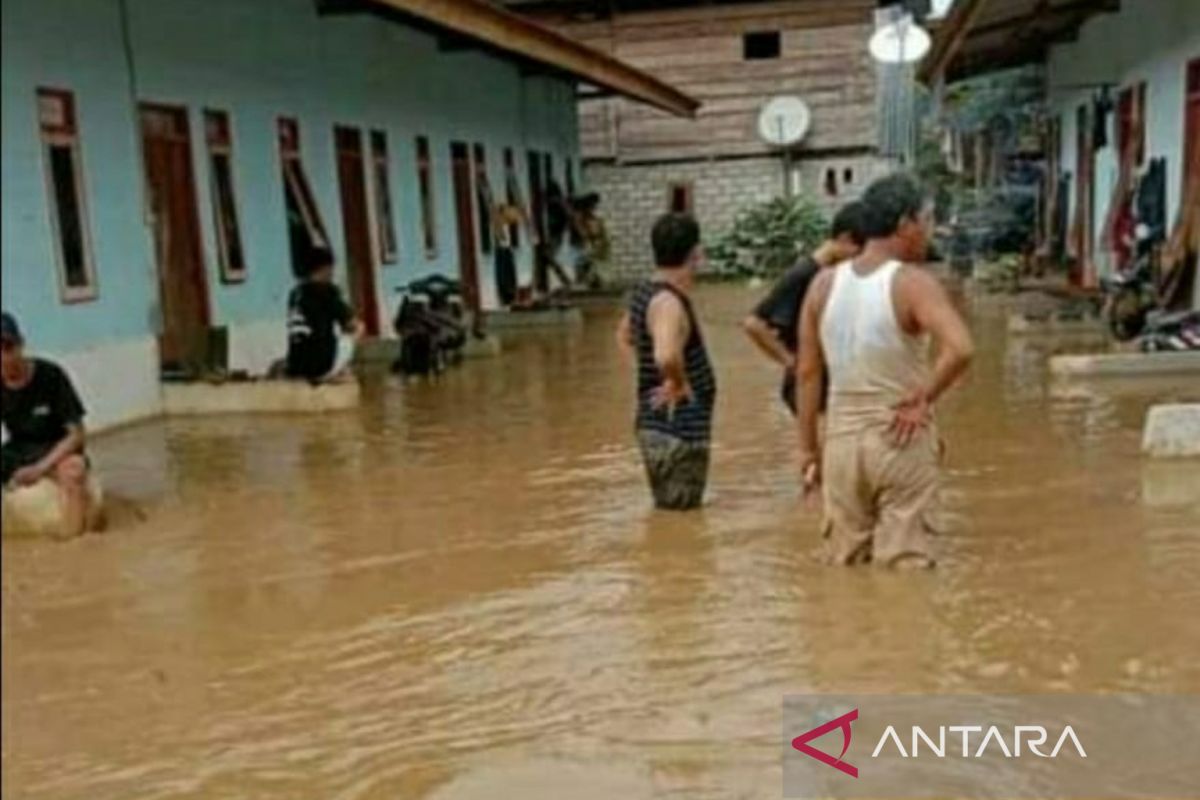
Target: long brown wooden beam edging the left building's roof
509 33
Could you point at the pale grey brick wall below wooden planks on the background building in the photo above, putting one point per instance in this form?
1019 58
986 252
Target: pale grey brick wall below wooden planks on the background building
635 195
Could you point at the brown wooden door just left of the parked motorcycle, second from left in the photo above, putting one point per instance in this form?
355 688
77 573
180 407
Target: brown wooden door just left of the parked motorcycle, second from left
357 226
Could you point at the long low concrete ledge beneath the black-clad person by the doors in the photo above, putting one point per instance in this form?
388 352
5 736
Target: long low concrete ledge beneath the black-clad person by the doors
260 398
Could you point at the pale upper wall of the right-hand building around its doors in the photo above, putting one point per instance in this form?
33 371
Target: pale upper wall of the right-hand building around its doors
1151 41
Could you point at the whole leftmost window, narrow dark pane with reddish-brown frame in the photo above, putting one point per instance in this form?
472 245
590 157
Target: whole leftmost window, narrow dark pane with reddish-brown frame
64 184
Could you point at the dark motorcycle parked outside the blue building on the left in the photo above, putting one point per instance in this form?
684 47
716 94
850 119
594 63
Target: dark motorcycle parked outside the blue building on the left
431 322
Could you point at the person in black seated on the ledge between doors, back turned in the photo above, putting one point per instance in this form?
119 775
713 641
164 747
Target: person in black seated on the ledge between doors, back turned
323 330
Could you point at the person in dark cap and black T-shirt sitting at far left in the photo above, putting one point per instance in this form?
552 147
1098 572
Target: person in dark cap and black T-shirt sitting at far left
44 428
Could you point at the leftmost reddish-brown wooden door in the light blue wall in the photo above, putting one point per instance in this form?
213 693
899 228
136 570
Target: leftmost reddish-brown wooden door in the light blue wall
171 194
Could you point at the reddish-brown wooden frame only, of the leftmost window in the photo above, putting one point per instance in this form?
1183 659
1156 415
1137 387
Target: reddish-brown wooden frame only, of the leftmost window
67 135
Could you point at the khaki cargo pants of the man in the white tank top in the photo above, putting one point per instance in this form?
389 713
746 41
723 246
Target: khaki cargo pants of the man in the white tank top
878 498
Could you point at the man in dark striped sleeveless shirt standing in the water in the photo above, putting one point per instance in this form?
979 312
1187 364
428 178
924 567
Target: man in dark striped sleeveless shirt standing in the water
676 384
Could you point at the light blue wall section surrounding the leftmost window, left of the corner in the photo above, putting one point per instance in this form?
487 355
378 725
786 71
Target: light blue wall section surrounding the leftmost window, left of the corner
73 45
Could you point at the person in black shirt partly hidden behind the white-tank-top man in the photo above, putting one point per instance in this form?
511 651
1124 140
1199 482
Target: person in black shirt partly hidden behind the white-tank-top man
775 324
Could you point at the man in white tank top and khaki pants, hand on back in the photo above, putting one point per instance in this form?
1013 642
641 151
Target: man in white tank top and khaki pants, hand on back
871 322
